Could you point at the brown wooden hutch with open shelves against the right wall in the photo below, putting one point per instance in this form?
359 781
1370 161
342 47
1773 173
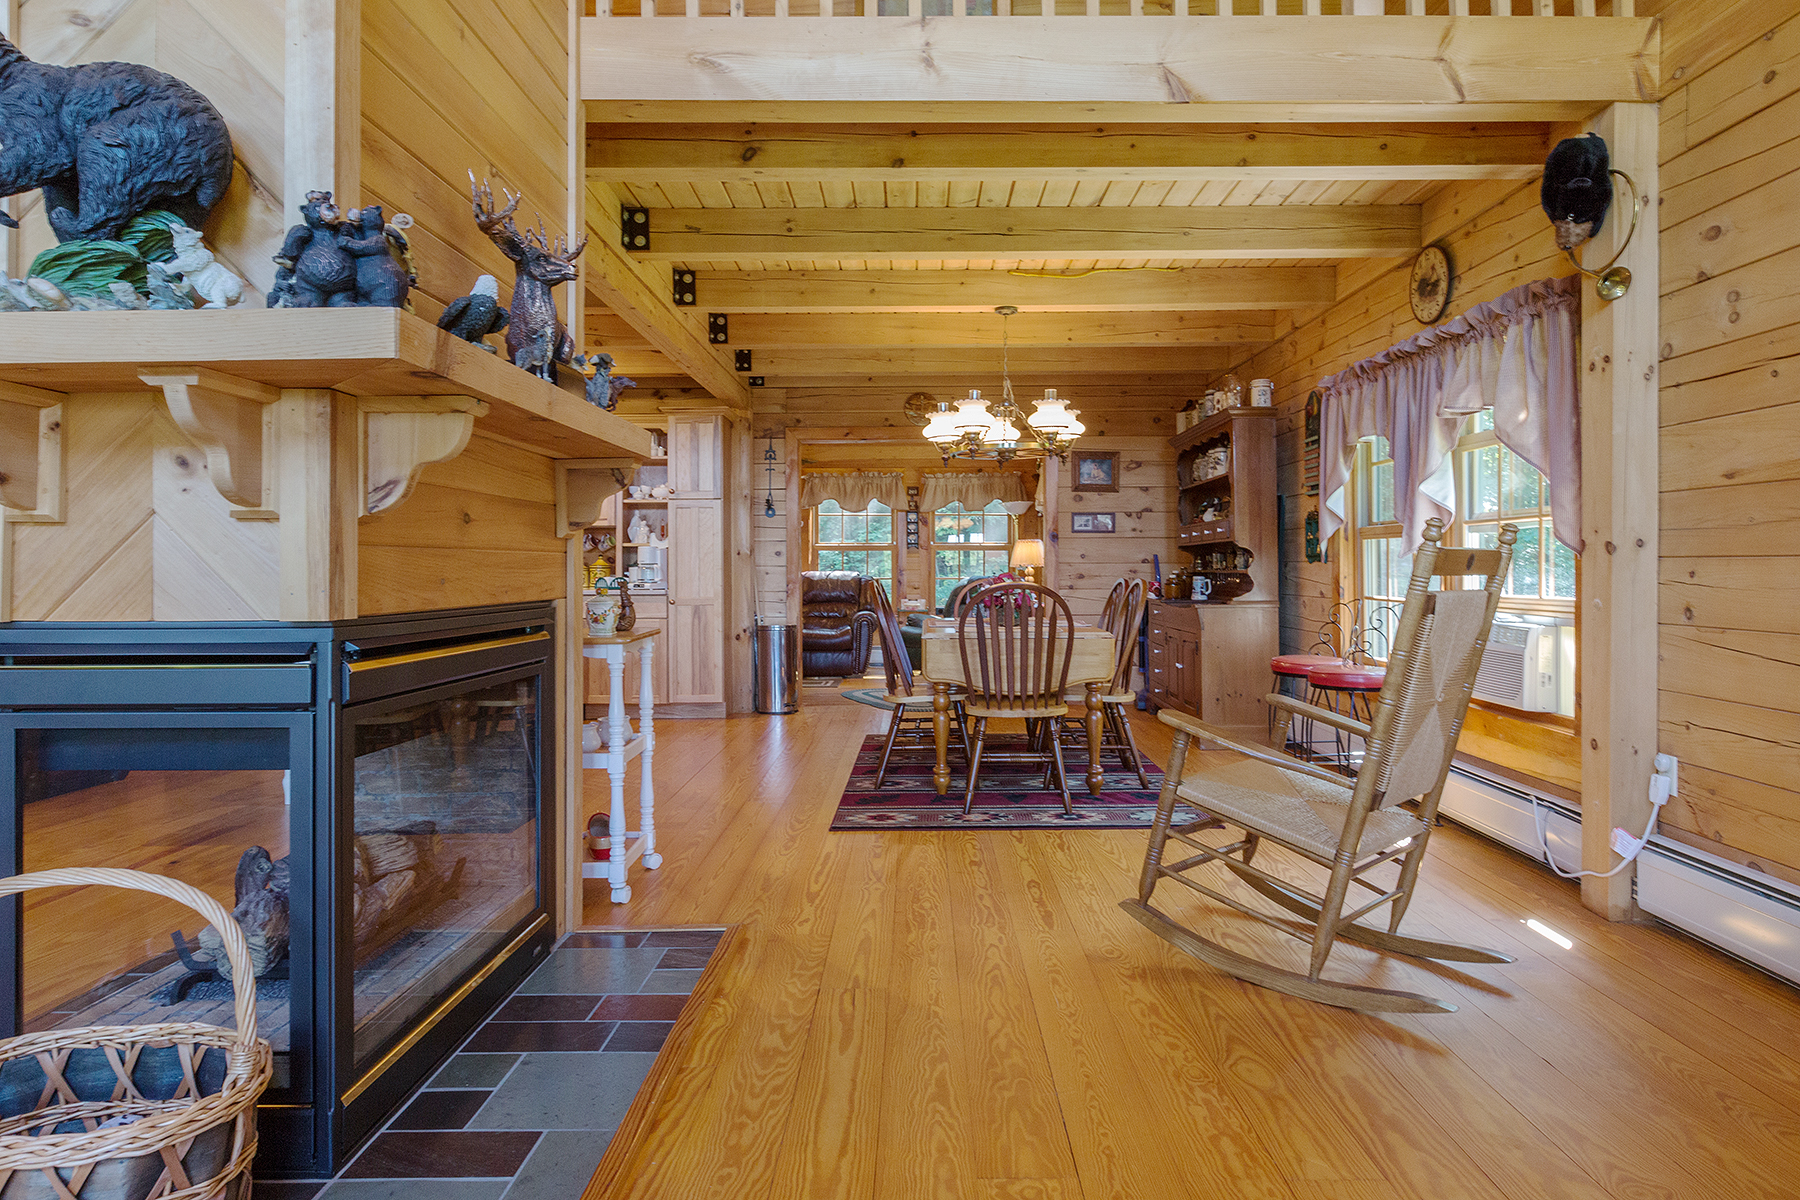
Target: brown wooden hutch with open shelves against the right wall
1210 658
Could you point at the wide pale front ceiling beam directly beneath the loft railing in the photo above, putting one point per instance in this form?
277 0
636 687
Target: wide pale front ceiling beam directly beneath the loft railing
1297 60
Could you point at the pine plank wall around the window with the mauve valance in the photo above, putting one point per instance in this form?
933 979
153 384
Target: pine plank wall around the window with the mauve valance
1497 238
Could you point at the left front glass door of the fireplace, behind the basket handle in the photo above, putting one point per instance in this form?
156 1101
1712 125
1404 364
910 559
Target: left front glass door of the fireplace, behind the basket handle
208 805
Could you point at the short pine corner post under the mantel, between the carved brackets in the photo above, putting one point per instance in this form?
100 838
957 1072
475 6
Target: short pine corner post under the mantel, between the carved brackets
318 483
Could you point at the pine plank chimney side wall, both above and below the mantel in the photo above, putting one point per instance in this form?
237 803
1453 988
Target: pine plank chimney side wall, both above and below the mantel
453 87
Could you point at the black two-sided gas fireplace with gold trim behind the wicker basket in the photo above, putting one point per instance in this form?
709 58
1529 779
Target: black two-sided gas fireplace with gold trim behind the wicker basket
370 796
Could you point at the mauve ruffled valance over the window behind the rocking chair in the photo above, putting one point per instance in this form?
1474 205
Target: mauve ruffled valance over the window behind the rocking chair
1516 355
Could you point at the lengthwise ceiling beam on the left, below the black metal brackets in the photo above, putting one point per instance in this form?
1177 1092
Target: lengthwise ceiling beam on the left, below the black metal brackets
625 287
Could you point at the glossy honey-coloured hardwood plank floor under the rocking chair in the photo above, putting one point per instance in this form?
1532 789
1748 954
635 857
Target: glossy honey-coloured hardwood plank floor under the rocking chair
969 1016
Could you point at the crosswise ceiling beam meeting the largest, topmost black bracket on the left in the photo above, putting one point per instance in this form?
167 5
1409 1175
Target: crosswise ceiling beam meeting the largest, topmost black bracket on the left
888 235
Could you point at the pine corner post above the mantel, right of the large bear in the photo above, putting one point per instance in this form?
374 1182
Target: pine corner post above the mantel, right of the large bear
323 147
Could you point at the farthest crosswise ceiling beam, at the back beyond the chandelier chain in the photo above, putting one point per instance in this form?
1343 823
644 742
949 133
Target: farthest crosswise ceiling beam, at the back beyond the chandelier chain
948 366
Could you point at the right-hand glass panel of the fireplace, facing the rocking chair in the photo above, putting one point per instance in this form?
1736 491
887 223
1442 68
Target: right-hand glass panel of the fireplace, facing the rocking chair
444 845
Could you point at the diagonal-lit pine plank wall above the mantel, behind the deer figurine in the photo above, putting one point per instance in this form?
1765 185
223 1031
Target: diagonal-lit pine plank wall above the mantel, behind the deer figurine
453 87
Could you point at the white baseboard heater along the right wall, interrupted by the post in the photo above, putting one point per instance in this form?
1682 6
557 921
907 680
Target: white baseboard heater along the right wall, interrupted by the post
1747 915
